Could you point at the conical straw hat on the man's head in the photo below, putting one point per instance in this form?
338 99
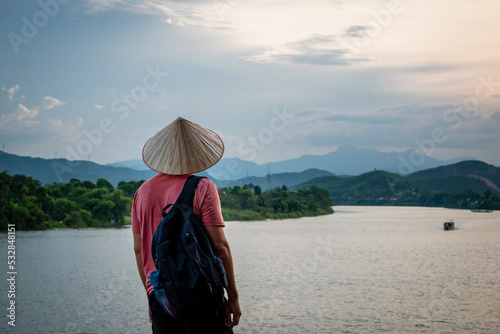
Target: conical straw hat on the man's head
182 147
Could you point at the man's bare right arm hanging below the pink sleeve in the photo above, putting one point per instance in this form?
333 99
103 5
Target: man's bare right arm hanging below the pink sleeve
222 250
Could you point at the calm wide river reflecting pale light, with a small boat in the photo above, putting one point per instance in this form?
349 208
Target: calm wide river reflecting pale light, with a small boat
359 270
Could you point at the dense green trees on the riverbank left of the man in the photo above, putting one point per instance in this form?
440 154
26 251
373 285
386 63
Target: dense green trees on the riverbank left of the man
31 206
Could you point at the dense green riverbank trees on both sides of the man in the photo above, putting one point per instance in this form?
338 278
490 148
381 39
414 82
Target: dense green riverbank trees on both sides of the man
31 206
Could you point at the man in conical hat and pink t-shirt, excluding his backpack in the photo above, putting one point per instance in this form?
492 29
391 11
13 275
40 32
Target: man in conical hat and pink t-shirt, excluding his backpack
176 152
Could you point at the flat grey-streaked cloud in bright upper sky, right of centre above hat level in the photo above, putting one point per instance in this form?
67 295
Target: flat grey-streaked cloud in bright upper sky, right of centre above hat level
326 50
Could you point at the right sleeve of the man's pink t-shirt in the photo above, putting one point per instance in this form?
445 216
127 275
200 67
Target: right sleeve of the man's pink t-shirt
208 203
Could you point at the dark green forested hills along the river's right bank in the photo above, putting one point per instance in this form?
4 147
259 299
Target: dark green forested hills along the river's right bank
442 186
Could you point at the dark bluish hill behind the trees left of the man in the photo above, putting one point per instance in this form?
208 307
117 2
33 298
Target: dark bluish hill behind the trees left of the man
62 170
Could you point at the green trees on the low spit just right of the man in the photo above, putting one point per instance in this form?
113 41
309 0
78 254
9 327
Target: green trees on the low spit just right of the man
250 203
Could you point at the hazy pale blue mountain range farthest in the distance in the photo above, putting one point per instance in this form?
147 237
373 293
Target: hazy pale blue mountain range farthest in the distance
346 160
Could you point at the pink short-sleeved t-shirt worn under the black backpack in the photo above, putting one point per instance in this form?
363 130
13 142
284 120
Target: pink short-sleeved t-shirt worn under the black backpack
160 190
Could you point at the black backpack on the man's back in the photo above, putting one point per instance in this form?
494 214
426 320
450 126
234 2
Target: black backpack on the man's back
190 275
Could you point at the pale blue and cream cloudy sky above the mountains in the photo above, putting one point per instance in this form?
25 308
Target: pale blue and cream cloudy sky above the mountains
276 79
